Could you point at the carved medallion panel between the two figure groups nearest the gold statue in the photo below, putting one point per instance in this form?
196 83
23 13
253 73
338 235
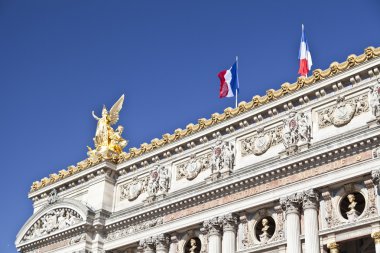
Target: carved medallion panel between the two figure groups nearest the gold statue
191 168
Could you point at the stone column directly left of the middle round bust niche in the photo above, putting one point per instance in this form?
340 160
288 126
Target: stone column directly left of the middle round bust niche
229 222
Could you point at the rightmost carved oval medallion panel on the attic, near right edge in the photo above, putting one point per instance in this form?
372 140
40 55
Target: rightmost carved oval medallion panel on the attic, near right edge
343 111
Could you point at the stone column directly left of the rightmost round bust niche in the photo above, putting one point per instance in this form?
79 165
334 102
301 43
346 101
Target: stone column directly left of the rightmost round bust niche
310 210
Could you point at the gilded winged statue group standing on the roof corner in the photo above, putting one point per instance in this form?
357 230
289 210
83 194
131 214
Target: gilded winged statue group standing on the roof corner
108 142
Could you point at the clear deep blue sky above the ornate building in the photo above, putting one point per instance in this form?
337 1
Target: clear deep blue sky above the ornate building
59 60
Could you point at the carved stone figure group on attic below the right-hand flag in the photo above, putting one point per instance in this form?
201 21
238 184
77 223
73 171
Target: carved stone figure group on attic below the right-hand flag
296 128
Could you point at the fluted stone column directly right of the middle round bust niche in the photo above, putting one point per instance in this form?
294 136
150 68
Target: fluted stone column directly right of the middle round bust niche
291 205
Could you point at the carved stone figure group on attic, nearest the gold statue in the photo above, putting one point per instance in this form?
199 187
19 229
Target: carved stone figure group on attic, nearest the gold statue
159 181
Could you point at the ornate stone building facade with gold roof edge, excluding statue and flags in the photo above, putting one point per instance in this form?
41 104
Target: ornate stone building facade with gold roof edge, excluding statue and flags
296 170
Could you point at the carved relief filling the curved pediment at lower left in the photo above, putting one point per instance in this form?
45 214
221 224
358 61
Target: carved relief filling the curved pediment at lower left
54 220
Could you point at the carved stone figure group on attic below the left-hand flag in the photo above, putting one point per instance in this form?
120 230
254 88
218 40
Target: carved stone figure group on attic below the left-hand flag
223 156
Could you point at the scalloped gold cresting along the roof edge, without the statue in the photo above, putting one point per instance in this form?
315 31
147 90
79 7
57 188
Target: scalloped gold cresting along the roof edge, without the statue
216 118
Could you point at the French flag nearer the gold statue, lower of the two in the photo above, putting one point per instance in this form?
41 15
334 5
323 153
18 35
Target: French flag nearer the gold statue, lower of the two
229 82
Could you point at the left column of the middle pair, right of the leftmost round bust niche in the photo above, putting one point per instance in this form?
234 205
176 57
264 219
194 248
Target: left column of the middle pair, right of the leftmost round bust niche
213 228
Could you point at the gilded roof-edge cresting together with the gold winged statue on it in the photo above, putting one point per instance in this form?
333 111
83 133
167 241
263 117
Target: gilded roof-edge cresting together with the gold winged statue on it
109 143
